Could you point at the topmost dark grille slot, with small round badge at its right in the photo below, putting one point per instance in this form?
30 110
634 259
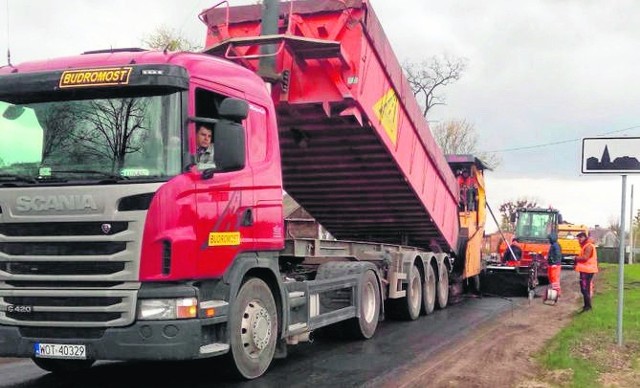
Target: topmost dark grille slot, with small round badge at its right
63 228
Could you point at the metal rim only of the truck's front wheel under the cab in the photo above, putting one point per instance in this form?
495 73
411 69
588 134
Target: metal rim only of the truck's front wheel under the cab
255 330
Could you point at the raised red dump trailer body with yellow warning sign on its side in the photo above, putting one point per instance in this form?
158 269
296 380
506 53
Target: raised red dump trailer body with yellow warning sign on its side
356 150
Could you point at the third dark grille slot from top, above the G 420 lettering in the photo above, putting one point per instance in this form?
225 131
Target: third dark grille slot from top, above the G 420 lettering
61 268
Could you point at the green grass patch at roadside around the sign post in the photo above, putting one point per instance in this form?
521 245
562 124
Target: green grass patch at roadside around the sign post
586 353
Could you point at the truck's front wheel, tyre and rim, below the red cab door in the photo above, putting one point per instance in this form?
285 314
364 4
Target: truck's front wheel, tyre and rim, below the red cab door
253 329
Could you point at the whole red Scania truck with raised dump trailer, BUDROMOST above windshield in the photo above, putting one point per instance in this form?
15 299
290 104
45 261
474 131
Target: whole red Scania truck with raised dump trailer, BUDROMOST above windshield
116 245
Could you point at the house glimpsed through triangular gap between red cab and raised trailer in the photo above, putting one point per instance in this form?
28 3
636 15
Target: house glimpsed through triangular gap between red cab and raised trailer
298 223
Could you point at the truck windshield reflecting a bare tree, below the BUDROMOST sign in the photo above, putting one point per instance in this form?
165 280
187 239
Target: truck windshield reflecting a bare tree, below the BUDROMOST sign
131 138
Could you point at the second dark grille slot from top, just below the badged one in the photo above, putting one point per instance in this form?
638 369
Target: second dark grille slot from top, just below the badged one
62 248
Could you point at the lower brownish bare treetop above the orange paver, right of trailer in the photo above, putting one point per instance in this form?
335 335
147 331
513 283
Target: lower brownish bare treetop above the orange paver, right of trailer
460 137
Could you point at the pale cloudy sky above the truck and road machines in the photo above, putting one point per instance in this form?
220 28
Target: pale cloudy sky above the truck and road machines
541 75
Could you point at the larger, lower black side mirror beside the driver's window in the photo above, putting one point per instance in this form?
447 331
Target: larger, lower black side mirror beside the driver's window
229 146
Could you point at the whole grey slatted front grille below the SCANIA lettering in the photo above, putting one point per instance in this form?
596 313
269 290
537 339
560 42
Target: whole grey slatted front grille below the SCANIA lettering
76 278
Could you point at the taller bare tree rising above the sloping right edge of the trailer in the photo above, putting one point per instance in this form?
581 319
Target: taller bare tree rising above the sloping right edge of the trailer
428 77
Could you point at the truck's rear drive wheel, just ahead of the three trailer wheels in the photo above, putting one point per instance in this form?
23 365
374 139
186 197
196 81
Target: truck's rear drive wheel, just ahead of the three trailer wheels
364 326
